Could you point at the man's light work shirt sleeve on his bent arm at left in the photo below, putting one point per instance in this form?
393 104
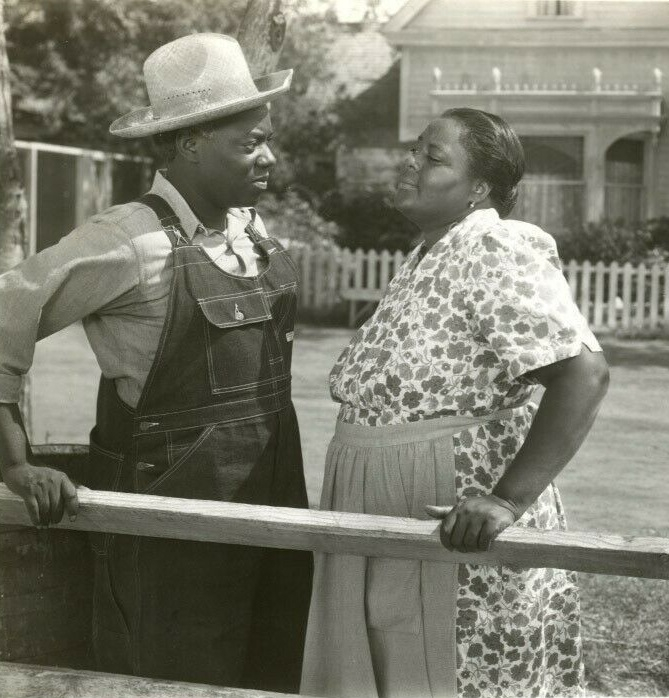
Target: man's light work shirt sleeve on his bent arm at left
88 270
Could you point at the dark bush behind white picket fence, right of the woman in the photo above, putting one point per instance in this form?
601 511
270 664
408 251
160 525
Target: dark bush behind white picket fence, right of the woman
614 241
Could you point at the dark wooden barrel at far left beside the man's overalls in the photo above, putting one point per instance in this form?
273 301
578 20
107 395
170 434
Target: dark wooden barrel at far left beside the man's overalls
46 582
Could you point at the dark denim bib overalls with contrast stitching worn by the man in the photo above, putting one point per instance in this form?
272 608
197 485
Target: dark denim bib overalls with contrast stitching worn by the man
215 421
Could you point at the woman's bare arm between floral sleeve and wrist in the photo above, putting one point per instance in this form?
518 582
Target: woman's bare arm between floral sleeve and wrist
574 391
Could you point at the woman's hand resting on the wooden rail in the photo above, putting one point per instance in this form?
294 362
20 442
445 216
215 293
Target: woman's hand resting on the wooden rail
474 523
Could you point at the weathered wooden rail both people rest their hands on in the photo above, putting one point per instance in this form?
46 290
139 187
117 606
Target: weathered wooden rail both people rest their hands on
355 534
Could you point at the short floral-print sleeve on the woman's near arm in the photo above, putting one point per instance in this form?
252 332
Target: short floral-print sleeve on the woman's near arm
521 304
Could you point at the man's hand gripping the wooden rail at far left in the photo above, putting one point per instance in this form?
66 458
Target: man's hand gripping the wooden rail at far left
47 493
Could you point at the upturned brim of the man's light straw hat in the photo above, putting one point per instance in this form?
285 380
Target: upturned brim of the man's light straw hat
141 122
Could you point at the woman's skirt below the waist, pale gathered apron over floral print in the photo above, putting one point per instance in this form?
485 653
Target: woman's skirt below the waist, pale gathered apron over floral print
388 628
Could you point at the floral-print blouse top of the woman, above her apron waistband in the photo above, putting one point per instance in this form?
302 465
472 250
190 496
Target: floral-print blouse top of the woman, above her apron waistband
459 329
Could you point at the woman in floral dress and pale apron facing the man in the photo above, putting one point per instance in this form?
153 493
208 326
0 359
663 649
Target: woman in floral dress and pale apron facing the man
435 412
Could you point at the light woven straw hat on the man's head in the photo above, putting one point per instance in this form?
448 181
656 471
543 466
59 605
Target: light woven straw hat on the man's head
194 79
